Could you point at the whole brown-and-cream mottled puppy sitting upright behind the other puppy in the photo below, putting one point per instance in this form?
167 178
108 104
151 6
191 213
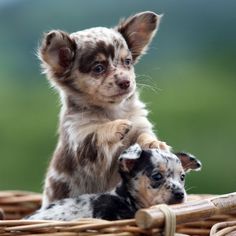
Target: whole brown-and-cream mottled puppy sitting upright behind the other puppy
101 113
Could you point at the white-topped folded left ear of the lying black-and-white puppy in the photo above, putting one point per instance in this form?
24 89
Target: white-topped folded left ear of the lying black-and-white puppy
128 158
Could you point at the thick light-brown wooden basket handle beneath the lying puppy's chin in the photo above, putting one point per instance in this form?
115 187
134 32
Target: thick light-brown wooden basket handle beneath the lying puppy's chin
187 212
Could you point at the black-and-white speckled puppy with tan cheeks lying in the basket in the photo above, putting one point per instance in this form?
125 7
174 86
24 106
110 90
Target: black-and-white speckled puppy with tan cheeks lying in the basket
148 177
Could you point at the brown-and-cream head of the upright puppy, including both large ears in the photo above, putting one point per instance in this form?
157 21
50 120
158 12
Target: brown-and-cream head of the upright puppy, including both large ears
98 63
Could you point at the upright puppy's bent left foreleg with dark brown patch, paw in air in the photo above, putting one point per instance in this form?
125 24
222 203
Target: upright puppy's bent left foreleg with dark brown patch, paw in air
100 143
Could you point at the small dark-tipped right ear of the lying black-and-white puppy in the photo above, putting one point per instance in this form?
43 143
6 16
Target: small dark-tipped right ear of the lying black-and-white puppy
188 161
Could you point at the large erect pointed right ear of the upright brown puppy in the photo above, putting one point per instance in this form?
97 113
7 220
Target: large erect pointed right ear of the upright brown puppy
138 31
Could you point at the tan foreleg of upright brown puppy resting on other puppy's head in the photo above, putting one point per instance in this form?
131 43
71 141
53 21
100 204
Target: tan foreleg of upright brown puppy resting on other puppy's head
147 141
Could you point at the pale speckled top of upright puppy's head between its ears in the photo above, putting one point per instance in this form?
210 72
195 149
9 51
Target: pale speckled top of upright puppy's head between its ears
94 35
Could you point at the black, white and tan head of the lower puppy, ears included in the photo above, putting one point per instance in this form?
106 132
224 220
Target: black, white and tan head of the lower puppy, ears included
155 176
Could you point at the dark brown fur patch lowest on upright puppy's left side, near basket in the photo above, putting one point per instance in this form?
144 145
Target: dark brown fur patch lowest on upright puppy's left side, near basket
59 189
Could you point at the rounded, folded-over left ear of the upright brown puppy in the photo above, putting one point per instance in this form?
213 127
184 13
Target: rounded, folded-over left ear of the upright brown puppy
57 52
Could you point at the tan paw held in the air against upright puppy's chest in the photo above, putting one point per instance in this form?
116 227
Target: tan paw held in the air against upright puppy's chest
121 128
